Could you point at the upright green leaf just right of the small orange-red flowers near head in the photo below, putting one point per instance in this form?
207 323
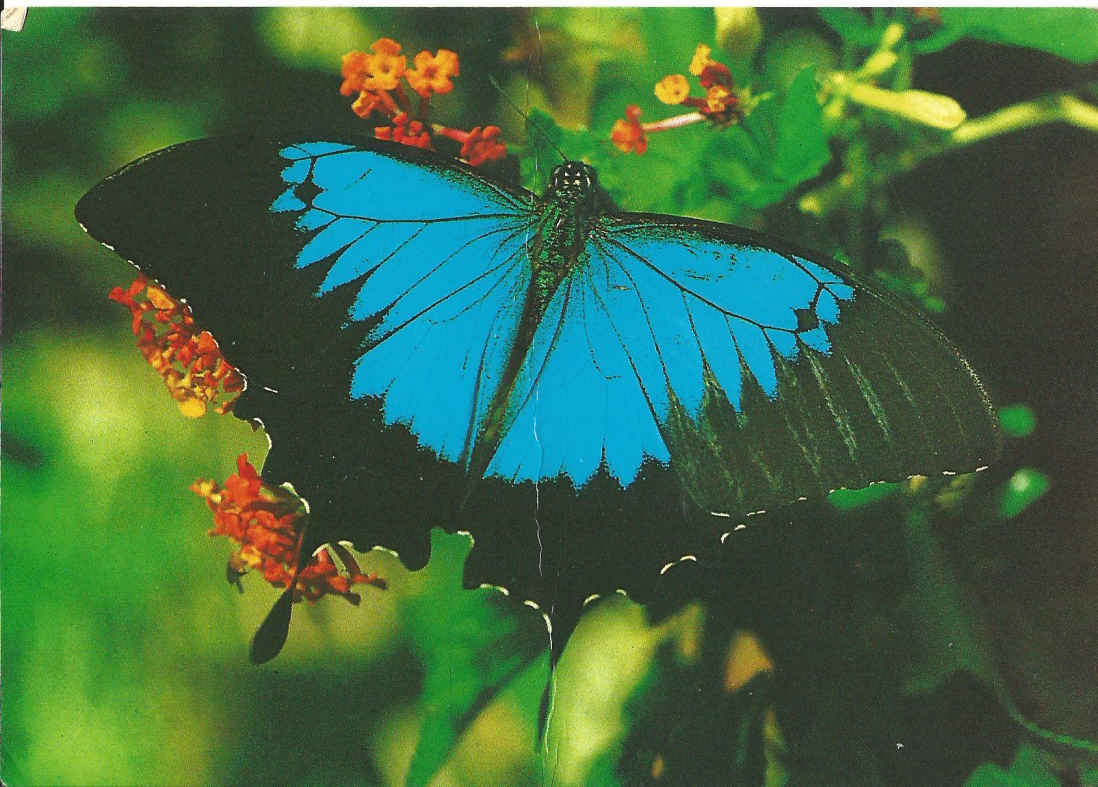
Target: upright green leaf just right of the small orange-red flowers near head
802 145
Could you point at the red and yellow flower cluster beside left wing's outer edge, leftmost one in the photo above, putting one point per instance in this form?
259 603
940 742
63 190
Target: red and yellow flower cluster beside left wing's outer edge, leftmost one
189 361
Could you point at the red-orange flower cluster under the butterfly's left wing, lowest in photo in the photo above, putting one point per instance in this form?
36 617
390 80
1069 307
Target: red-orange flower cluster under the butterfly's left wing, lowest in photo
267 523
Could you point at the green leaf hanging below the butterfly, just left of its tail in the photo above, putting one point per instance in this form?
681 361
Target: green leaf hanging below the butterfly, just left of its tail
473 645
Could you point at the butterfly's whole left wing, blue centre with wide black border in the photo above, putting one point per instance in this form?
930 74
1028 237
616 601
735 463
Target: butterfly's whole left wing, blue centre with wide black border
367 291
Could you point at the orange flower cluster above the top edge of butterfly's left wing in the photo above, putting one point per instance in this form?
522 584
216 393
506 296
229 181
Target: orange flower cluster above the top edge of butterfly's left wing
377 80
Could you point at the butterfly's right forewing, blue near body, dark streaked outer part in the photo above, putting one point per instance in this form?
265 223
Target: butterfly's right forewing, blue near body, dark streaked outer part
790 377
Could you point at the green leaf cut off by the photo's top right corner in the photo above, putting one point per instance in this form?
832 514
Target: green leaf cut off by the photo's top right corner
1071 33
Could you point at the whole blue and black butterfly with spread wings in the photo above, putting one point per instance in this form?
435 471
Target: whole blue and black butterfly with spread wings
591 393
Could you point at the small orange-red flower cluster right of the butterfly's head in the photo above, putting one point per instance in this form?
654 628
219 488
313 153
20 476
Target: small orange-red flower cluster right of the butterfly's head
720 106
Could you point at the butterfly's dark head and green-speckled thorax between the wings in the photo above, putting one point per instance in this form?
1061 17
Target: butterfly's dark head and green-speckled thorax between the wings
569 209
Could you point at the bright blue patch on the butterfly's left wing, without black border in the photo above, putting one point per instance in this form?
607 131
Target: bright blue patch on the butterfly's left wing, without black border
442 272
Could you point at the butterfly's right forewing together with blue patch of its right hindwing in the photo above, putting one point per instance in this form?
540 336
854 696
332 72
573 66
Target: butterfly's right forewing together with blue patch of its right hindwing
758 374
